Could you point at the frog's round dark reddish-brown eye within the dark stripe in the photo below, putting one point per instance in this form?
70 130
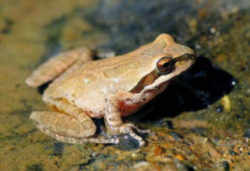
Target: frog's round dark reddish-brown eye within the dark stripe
165 65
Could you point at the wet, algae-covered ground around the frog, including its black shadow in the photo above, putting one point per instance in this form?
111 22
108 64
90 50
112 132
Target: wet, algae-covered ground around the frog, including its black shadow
209 106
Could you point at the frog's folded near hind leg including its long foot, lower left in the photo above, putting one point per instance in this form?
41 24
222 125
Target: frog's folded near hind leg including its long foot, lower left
68 129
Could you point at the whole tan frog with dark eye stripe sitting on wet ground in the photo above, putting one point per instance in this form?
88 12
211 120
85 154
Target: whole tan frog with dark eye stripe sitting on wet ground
83 89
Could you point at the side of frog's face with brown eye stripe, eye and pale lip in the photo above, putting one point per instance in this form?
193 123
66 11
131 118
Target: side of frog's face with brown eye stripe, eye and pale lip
165 71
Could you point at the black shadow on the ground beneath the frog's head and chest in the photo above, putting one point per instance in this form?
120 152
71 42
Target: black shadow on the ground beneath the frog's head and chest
200 86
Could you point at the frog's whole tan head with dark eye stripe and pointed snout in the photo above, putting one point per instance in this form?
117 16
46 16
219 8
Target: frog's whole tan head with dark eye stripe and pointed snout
171 60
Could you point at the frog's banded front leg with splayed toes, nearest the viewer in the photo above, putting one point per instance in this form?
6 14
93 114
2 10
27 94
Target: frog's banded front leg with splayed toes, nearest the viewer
115 125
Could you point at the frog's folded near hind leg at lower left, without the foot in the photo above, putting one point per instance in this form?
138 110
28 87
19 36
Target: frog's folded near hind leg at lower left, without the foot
62 125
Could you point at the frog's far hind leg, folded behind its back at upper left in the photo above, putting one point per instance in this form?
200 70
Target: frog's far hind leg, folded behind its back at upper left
57 65
